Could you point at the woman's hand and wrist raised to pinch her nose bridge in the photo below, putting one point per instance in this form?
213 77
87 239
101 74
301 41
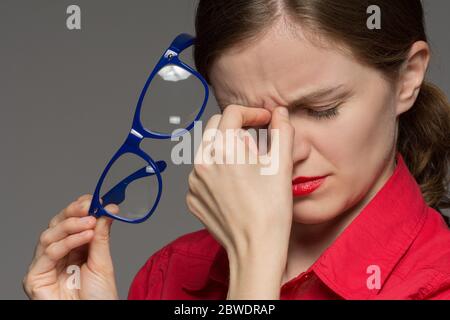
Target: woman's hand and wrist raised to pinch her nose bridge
249 213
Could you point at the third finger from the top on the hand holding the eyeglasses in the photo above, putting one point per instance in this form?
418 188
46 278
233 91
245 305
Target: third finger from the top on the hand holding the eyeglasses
58 250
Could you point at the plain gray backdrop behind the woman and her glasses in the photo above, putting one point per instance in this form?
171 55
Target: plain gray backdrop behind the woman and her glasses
67 100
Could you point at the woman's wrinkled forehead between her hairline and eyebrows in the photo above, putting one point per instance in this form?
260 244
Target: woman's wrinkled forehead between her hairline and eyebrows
278 66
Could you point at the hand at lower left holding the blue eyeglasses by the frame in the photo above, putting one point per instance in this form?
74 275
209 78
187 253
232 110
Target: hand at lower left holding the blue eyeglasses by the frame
79 241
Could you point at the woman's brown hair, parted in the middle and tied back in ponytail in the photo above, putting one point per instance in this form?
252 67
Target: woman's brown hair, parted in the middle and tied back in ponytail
423 139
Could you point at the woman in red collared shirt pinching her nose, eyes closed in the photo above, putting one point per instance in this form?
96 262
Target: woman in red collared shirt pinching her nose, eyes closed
354 115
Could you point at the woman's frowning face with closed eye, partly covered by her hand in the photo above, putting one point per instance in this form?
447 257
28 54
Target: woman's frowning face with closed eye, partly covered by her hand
355 147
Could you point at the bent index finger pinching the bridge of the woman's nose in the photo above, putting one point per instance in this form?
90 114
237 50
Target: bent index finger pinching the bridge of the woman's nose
236 117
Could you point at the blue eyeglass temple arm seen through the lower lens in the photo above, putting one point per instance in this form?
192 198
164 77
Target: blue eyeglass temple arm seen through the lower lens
117 194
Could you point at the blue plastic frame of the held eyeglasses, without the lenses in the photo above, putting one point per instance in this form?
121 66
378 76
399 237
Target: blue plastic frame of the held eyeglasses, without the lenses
138 132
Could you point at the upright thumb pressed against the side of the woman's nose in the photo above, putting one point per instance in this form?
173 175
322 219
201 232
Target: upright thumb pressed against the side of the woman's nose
281 135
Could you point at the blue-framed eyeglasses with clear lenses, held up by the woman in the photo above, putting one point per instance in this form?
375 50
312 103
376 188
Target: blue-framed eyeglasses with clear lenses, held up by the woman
132 179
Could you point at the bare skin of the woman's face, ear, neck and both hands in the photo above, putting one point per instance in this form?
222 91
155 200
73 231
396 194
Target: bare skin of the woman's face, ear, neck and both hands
253 216
